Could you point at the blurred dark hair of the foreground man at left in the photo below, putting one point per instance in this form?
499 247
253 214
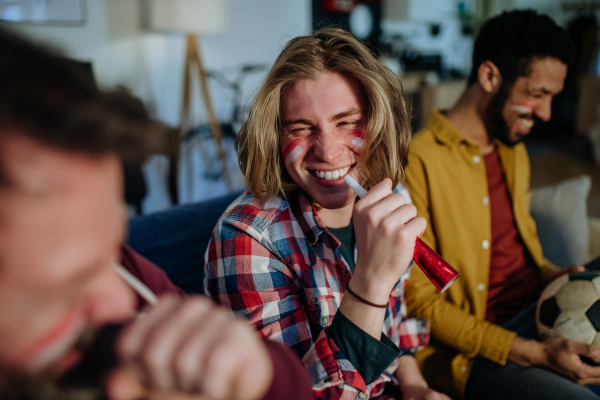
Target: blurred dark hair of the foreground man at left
53 100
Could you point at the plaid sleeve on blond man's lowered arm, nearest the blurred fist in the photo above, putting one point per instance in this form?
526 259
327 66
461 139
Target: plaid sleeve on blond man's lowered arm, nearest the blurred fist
242 275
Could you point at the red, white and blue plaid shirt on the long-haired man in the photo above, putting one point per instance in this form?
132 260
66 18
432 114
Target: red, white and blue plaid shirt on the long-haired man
274 262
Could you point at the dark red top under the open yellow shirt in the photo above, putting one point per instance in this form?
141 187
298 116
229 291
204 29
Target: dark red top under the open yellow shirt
514 281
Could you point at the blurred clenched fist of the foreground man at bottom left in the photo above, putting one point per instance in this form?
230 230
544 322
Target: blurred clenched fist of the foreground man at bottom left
189 349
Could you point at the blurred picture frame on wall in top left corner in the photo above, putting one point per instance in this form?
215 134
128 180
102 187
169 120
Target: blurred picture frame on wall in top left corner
44 12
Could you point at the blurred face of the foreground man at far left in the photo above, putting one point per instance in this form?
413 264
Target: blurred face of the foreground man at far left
61 224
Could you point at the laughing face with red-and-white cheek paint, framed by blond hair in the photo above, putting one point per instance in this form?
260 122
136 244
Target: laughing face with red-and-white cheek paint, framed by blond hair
323 122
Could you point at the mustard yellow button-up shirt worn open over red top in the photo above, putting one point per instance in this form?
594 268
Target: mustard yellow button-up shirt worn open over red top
447 181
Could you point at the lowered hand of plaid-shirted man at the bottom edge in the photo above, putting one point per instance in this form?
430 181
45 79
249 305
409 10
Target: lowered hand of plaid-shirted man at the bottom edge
412 383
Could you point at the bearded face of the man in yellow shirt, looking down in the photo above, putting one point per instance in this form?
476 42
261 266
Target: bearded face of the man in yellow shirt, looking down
512 112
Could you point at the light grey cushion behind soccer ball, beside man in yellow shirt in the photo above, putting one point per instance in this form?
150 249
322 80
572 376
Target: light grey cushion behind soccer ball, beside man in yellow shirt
560 212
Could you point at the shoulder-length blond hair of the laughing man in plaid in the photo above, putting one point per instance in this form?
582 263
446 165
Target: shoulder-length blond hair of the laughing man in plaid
387 133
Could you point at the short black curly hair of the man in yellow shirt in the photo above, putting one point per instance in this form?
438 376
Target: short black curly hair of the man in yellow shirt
513 39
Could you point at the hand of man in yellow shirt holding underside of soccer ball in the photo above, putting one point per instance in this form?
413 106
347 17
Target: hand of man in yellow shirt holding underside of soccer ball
559 355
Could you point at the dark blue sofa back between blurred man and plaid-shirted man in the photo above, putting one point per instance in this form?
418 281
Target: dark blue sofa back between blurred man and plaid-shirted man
176 239
